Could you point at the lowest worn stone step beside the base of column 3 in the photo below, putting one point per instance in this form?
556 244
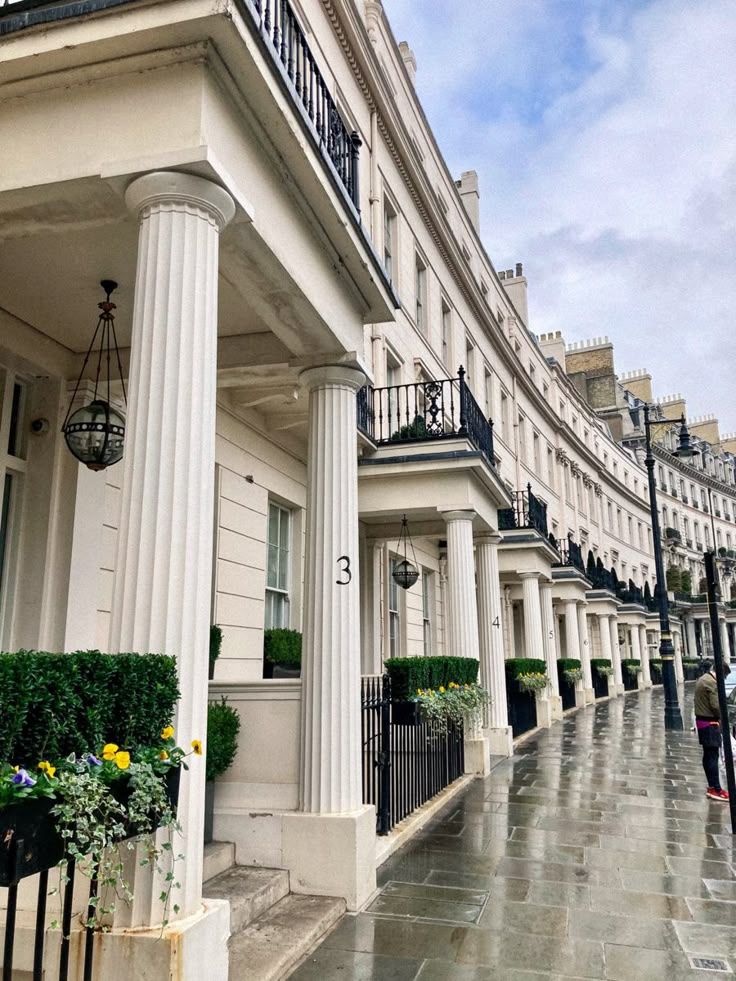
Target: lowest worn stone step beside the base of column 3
272 946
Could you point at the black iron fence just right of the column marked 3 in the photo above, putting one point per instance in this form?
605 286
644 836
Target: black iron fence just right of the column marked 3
407 760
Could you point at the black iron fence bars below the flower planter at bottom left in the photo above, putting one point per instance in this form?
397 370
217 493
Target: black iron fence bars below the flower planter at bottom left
16 864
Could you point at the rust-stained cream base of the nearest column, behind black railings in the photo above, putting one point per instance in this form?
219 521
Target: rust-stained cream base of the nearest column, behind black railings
188 950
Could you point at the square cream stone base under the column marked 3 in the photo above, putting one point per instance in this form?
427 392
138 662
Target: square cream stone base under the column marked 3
331 854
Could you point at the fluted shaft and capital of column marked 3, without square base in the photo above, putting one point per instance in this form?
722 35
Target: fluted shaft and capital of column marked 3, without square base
330 760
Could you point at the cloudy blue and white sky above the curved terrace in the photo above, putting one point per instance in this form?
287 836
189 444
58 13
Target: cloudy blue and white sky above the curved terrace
604 136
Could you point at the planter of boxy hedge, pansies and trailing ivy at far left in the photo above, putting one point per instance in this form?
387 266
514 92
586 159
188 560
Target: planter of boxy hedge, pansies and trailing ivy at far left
88 761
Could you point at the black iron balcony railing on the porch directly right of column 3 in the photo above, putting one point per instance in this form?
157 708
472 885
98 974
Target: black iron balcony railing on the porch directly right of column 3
424 411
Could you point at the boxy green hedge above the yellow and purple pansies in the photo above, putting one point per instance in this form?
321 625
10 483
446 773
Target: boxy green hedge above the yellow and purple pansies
57 704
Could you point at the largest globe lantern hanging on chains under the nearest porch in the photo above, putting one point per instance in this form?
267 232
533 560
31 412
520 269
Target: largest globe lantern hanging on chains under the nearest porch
95 433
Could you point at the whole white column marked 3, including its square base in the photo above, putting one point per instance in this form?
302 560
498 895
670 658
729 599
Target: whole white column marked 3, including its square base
329 847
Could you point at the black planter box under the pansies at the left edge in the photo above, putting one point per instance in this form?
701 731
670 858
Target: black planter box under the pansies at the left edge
29 841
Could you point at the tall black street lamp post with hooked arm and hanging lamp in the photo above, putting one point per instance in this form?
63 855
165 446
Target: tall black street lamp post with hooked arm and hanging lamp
685 449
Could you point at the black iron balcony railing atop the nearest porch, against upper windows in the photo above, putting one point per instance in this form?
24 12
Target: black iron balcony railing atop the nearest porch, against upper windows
283 34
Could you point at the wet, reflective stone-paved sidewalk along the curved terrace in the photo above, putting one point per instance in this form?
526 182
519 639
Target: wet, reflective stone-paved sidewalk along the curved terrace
592 853
